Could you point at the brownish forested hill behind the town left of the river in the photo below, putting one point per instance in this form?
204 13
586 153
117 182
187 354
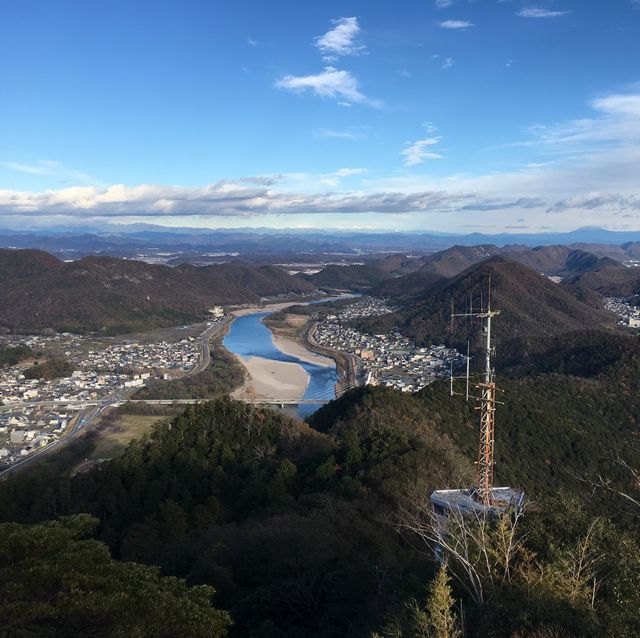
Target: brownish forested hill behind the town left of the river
39 291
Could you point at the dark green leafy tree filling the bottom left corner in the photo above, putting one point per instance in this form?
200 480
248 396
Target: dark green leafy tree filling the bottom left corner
56 580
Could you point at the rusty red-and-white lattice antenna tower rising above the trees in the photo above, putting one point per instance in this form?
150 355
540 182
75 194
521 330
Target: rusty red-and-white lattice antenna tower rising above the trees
486 398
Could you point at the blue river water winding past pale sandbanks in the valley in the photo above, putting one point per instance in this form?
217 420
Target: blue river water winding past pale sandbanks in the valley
249 337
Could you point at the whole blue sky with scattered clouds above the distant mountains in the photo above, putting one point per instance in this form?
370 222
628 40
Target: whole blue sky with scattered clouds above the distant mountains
442 115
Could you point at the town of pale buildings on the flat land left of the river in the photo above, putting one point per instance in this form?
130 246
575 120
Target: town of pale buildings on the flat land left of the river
37 412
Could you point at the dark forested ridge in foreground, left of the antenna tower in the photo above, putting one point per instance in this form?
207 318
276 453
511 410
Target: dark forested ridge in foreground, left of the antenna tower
287 523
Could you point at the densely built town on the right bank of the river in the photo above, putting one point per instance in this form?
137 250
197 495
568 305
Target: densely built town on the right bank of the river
386 359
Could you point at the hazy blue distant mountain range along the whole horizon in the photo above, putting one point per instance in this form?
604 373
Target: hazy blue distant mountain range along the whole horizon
187 244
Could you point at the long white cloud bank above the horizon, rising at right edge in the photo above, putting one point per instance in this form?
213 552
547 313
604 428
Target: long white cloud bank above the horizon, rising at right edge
588 176
